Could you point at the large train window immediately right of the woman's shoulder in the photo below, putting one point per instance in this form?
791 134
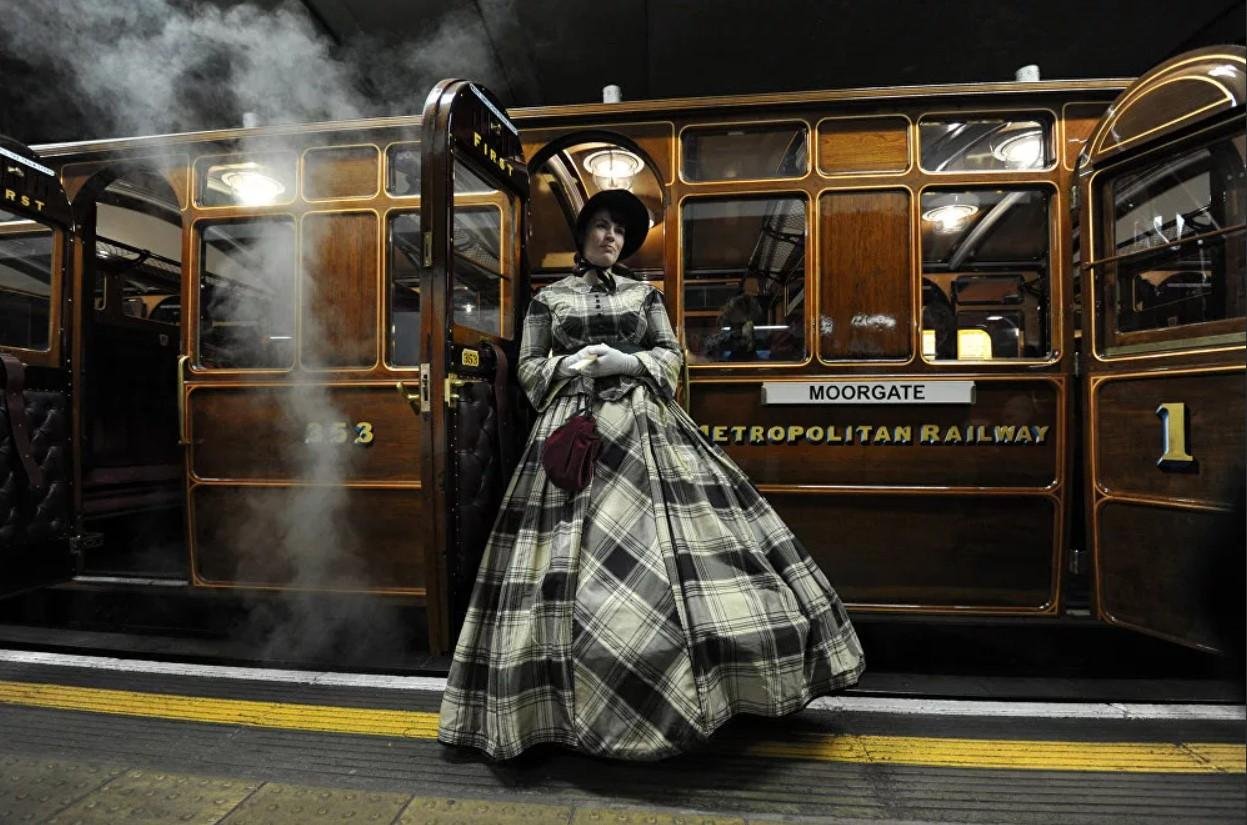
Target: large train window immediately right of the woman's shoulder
745 279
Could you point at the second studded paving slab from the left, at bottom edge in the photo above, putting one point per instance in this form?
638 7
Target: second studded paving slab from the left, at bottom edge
159 798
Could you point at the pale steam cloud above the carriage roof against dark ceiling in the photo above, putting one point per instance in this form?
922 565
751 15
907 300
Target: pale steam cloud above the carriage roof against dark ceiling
154 67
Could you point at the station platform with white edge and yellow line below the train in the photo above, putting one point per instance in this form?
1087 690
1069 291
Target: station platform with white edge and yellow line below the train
94 740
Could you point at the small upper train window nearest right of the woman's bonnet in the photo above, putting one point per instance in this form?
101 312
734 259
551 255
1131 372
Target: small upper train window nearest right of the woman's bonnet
745 153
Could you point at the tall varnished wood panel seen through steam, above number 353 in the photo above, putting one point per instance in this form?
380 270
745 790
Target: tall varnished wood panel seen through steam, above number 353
339 323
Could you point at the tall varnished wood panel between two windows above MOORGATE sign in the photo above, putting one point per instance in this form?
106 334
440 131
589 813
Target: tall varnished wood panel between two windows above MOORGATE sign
866 279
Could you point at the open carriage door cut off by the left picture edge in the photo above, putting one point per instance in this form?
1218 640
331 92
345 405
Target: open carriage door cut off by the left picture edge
36 240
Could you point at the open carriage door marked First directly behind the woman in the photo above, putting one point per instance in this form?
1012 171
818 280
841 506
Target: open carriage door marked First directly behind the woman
474 186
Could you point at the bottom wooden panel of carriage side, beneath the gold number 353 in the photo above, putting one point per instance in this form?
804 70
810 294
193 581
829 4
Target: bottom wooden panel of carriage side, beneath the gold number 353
310 538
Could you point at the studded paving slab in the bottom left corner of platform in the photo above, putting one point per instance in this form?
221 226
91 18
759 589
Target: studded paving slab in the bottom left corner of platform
32 791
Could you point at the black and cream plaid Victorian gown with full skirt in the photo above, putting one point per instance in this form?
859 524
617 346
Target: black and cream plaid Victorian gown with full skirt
635 618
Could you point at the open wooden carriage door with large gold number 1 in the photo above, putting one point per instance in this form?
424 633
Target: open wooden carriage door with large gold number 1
1164 209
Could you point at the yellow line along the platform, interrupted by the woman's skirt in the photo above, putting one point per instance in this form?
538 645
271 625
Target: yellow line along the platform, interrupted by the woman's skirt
1027 755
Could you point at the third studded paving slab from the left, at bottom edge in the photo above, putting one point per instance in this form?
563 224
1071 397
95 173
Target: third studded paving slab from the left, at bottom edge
302 806
